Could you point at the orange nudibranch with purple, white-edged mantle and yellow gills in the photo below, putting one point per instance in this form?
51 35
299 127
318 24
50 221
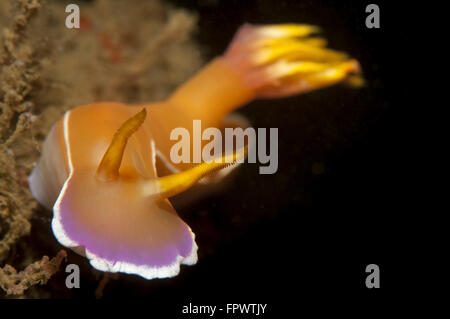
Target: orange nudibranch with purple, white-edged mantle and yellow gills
105 168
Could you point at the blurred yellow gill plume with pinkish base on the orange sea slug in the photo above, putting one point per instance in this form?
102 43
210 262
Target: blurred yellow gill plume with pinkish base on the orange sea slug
287 59
